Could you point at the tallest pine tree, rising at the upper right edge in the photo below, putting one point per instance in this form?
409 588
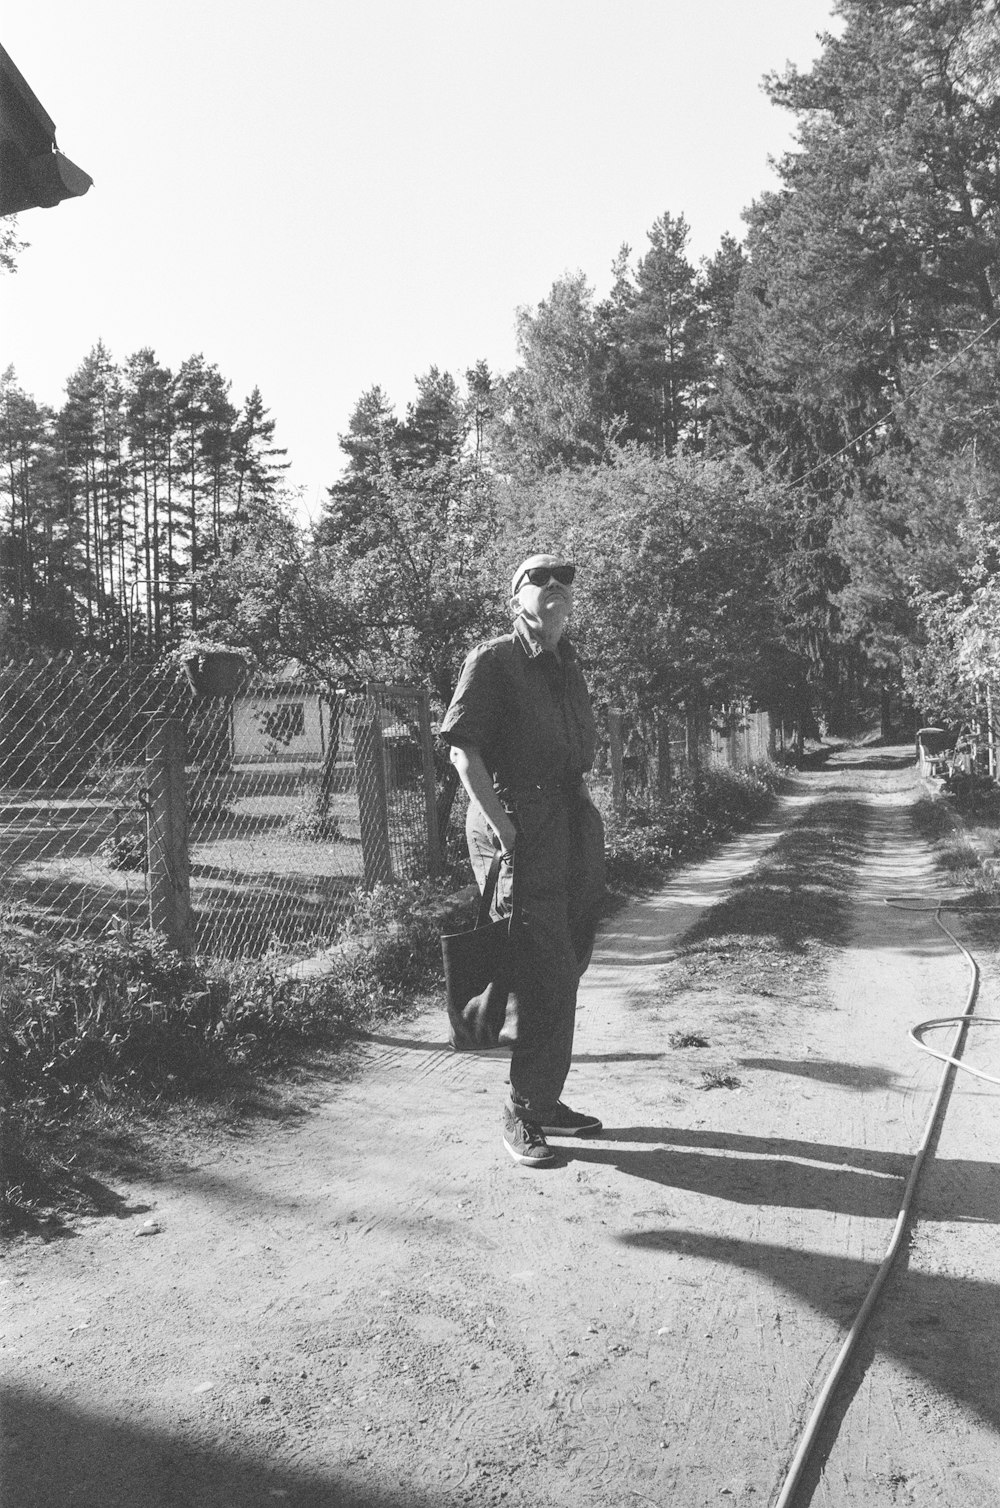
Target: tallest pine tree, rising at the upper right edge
882 250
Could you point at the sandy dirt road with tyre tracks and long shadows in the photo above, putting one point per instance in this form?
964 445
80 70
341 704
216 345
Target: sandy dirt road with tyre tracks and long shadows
376 1307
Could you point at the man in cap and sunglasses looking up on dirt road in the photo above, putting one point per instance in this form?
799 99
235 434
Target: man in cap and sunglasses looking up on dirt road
523 737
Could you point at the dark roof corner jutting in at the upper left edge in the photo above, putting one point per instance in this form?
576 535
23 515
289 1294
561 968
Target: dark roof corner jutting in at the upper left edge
34 173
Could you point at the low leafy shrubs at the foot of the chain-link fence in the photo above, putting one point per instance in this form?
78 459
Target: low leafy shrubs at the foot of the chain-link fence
129 1011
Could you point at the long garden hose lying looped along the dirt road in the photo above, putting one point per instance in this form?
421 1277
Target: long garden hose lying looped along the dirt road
951 1061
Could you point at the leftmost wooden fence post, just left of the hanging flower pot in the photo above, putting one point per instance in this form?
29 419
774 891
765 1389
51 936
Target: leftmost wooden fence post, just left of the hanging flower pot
167 835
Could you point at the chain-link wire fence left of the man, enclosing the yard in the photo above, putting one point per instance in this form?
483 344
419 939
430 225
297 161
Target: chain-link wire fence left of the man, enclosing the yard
286 800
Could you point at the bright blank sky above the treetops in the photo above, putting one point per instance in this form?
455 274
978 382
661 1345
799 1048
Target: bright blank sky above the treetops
322 195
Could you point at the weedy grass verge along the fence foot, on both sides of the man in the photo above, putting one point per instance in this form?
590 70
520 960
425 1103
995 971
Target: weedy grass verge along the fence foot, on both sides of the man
112 1053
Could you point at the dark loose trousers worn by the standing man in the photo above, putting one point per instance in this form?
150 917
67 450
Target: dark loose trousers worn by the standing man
559 862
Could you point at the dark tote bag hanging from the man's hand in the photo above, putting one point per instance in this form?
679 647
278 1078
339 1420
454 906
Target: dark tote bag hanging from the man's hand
479 973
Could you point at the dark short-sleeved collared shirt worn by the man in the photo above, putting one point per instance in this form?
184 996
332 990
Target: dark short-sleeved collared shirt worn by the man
526 710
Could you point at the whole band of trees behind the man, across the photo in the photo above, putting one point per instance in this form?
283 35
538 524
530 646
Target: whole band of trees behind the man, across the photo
778 465
